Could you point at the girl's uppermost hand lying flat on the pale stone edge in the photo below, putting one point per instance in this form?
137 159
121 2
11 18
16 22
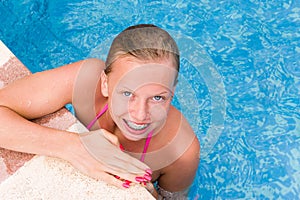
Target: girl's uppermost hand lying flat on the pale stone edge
98 155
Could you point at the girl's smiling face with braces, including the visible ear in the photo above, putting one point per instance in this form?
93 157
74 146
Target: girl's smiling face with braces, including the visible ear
139 95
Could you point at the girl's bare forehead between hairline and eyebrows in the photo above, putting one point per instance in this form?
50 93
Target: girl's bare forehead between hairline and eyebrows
134 74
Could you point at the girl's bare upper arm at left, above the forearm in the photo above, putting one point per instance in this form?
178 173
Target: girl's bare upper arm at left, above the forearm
43 92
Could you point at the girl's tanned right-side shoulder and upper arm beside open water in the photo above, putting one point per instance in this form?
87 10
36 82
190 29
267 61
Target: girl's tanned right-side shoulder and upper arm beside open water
180 174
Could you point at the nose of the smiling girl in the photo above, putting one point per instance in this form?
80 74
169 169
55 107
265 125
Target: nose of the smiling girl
138 110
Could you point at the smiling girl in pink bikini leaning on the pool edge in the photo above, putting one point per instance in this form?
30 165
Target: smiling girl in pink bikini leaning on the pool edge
136 136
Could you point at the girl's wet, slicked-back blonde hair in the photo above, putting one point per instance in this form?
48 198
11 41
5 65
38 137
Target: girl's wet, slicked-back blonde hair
145 42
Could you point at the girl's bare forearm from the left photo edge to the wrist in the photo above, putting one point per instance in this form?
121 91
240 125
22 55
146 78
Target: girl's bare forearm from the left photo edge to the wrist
19 134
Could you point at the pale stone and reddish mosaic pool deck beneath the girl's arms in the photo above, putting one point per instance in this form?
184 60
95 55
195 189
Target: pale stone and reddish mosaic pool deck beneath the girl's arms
13 165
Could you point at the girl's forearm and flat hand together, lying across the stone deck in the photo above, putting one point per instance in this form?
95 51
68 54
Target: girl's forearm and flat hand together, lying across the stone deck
19 134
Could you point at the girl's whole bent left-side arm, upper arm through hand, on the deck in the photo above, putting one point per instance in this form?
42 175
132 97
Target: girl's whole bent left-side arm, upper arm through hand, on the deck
40 94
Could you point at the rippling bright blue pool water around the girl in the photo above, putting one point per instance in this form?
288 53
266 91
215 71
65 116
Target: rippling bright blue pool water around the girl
239 85
